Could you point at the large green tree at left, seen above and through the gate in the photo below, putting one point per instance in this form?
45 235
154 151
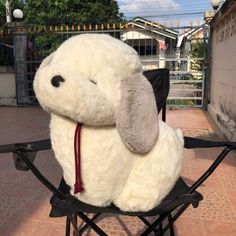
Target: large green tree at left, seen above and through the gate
66 12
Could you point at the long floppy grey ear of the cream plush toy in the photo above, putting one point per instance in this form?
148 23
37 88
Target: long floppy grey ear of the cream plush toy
137 117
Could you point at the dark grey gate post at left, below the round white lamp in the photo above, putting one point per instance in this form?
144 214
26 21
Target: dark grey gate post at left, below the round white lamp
19 45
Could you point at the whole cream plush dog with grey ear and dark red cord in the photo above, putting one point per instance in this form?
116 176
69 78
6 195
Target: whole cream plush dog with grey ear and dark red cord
104 125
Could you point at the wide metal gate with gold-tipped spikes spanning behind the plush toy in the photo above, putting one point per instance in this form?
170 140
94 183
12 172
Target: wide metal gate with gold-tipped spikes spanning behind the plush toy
181 49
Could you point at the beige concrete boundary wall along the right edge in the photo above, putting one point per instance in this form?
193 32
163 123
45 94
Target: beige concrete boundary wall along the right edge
222 105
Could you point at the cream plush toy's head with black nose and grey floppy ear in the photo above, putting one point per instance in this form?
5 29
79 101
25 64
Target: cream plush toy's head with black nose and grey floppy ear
97 80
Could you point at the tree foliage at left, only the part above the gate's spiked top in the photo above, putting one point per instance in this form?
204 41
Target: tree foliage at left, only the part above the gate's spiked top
54 12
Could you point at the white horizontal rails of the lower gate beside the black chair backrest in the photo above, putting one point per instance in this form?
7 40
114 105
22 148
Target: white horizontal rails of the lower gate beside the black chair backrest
186 85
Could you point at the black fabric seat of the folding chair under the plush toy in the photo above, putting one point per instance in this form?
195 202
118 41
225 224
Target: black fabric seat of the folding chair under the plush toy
178 196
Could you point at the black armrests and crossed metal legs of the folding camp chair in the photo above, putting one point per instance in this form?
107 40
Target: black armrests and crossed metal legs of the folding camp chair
23 153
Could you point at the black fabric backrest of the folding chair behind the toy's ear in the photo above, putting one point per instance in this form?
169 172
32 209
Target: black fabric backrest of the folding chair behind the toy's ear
160 80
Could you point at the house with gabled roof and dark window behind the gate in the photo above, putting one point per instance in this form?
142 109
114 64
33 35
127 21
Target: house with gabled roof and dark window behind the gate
153 42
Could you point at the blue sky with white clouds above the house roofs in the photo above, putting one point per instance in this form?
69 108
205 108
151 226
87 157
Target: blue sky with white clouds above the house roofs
166 11
